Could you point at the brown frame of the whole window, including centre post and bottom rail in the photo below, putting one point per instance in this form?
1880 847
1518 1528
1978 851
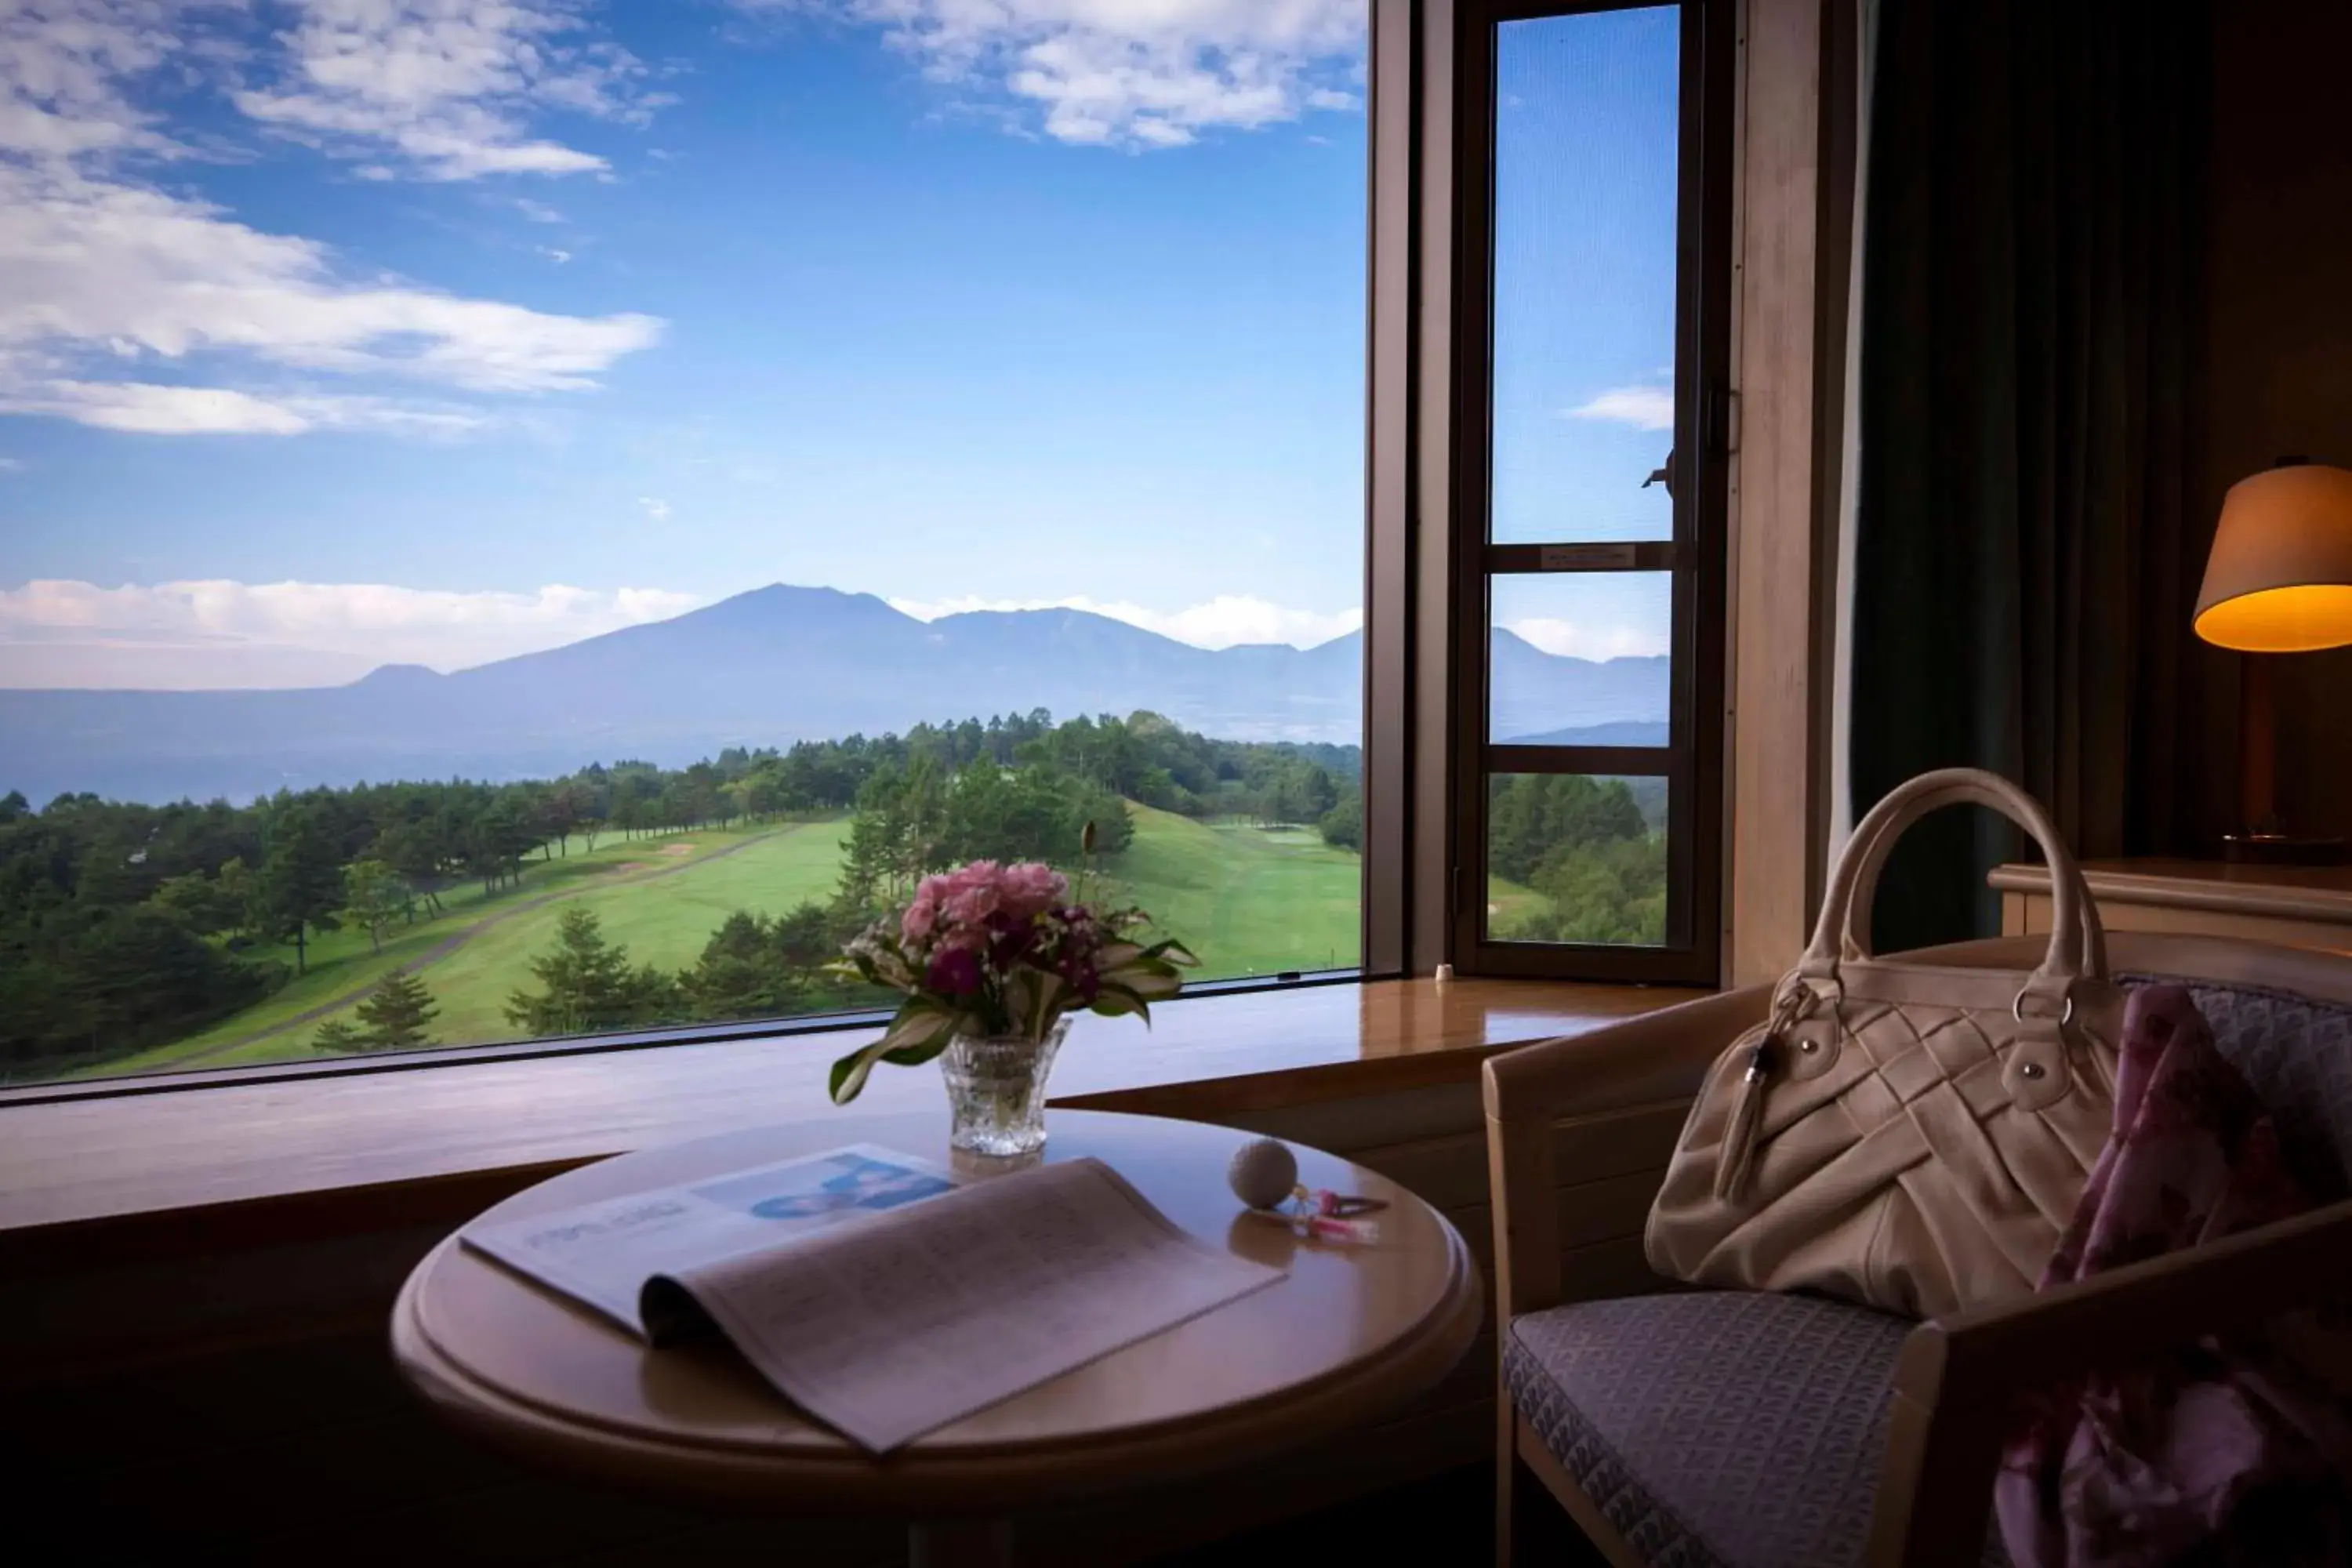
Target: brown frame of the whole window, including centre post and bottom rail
1426 558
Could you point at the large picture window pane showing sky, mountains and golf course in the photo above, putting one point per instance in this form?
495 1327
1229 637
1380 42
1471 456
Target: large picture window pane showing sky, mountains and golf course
540 525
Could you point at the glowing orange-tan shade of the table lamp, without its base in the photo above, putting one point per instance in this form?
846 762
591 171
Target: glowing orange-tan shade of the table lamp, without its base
2280 575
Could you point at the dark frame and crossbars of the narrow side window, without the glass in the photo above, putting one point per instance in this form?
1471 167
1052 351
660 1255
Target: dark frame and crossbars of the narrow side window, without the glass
1697 554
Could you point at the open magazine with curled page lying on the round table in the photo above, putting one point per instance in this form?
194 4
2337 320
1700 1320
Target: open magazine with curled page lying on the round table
876 1289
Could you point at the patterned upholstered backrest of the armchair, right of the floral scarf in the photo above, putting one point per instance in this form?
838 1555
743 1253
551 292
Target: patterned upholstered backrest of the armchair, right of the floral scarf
2299 1059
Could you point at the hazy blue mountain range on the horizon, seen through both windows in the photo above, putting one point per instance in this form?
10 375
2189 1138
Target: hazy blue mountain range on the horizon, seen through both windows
763 669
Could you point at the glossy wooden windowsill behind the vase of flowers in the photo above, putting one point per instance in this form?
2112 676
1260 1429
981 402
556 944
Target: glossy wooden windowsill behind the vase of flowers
208 1162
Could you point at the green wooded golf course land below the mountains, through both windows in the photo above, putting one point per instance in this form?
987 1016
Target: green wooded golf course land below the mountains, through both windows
401 916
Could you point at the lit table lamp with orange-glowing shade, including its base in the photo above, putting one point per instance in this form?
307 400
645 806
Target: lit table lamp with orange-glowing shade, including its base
2280 582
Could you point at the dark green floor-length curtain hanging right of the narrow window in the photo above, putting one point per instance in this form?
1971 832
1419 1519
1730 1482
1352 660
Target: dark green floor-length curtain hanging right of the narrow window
2026 558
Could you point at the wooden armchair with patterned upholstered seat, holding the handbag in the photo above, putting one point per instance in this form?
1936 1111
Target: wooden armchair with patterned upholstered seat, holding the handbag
1751 1430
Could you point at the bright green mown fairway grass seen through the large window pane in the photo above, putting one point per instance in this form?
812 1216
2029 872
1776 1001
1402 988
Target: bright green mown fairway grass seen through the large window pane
1245 899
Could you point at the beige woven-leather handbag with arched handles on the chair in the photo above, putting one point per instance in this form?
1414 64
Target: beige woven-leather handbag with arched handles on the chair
1902 1134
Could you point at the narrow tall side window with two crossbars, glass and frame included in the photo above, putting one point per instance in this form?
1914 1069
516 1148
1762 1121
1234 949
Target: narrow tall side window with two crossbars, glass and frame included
1591 490
